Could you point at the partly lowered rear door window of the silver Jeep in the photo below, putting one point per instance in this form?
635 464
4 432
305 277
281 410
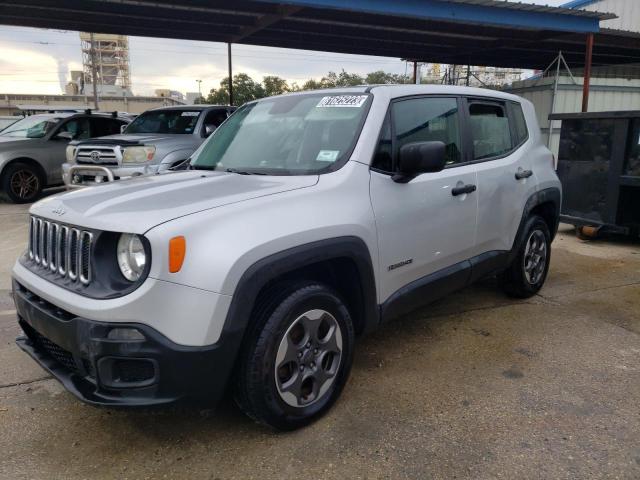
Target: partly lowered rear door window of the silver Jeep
490 130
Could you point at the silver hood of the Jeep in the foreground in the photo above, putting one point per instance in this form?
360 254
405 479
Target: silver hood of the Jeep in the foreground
138 204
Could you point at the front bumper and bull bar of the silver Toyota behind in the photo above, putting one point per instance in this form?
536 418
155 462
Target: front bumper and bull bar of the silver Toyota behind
82 175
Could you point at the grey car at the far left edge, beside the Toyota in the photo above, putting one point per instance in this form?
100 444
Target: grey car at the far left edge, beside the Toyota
32 150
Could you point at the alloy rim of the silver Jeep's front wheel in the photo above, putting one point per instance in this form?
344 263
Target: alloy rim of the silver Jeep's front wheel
308 358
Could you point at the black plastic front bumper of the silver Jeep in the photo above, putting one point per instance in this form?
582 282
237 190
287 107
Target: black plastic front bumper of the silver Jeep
103 371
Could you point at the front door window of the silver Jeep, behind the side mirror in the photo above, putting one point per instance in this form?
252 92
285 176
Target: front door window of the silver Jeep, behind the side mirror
427 120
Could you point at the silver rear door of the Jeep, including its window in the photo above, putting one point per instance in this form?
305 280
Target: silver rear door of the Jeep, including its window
499 146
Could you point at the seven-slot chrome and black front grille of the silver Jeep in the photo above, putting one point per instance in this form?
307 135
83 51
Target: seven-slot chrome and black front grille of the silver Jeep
62 249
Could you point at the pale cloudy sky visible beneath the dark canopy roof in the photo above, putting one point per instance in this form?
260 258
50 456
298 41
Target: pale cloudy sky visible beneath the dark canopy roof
38 61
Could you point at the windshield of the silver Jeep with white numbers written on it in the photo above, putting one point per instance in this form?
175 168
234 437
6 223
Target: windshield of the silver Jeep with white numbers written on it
291 135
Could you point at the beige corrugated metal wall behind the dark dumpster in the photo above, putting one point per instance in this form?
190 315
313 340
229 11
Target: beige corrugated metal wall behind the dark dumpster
607 94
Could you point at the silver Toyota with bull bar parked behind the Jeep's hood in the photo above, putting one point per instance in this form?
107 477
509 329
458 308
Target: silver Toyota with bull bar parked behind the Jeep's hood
157 140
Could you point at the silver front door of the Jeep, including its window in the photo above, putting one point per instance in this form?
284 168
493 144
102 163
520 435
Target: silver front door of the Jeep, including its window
422 226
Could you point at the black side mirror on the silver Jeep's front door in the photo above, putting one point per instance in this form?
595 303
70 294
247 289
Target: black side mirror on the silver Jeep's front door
419 157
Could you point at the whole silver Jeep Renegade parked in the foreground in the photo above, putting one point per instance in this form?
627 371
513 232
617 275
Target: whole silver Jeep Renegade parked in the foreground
304 221
